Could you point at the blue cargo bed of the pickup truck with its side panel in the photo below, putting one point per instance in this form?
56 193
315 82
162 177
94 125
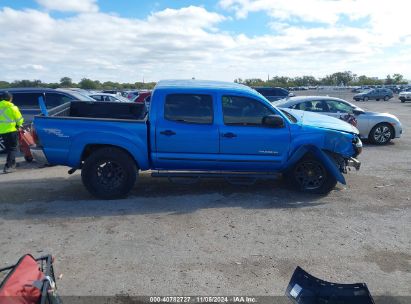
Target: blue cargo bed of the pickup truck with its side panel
72 128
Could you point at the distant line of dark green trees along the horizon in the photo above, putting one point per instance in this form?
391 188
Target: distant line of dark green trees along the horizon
346 78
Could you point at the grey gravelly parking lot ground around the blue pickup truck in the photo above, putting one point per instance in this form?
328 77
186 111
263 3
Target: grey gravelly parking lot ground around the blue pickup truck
214 238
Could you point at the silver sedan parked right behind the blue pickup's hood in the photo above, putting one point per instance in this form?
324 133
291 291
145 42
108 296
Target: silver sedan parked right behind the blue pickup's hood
378 128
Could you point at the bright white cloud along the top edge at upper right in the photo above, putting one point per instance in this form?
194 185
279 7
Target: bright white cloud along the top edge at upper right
386 19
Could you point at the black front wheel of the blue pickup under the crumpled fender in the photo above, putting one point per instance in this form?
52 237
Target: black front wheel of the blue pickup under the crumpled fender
310 175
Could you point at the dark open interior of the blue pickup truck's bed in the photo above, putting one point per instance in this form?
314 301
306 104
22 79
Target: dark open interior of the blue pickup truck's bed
100 110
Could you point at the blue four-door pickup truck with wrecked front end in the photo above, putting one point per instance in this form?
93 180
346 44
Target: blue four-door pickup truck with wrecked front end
195 129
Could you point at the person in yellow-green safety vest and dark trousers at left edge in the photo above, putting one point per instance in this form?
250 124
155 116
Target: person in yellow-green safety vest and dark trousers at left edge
10 121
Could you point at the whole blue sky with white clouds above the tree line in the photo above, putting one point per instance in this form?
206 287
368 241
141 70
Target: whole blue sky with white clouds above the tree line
142 40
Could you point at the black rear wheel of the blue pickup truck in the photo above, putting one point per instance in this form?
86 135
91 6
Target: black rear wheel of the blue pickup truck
109 173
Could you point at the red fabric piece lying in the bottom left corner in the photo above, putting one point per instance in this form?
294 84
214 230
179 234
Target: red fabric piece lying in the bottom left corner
17 287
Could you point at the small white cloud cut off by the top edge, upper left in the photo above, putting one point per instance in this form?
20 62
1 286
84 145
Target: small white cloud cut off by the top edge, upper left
80 6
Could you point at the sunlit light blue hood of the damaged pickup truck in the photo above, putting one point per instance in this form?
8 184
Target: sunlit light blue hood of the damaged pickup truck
321 121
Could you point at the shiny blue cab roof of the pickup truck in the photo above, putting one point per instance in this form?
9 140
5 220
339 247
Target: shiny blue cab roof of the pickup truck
203 84
